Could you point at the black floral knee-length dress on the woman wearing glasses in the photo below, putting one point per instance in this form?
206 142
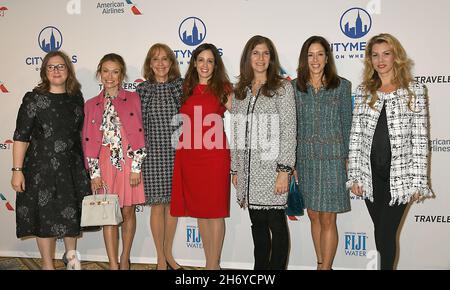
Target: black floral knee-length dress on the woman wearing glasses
55 178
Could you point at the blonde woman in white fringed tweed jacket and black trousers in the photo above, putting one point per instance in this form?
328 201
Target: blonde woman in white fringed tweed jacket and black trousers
388 156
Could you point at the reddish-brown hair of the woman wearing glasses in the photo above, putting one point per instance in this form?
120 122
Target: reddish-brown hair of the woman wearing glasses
73 87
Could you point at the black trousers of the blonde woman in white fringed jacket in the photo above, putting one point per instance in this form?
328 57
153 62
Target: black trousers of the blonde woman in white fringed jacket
386 220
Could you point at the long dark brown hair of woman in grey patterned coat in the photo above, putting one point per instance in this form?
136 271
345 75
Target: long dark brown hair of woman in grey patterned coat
246 71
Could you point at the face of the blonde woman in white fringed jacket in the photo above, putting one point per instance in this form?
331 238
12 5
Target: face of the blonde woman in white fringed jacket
382 59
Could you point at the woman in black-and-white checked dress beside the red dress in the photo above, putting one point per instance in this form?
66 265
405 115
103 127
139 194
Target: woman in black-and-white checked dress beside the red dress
160 98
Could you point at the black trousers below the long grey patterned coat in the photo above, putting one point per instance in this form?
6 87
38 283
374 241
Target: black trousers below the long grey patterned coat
270 238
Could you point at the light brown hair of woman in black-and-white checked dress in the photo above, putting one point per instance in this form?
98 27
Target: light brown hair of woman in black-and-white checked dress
174 71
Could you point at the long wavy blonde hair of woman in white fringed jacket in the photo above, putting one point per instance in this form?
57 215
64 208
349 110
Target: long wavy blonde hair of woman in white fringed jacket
402 68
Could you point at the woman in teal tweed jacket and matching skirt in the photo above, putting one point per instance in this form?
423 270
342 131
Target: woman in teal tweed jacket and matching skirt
324 116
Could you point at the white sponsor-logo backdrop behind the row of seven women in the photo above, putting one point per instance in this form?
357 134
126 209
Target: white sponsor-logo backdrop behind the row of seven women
88 29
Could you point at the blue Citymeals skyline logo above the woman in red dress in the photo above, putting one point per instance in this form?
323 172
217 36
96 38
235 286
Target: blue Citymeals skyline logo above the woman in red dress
192 32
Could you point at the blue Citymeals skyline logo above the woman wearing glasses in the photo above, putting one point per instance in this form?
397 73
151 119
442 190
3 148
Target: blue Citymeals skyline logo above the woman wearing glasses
50 38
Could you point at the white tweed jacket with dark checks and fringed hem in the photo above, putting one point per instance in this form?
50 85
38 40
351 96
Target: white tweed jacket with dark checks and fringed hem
408 134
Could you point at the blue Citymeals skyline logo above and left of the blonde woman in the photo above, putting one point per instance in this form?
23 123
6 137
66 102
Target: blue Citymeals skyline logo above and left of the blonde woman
354 23
